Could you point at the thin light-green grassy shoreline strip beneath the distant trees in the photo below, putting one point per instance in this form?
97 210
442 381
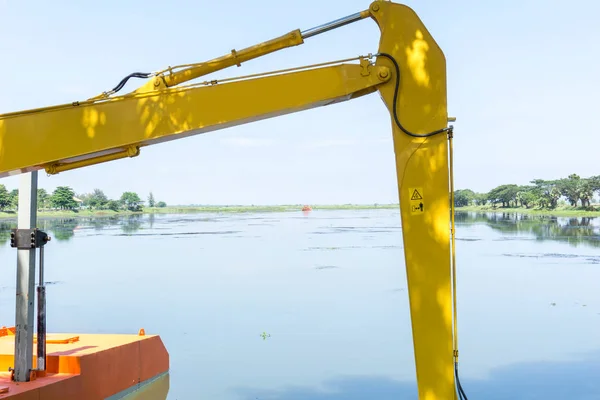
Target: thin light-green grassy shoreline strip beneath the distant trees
560 212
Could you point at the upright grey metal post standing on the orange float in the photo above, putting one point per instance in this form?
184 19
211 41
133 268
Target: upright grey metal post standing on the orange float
27 218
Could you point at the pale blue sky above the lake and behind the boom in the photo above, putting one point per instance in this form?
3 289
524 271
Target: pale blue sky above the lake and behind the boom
522 82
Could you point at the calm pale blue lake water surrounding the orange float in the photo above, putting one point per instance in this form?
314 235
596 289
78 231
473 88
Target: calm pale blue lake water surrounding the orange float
328 290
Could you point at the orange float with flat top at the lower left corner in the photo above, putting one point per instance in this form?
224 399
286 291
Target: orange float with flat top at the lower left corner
90 367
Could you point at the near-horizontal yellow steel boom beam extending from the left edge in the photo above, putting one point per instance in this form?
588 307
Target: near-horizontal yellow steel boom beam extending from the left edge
84 134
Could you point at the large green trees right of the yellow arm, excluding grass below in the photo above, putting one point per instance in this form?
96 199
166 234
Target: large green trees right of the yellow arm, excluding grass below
542 194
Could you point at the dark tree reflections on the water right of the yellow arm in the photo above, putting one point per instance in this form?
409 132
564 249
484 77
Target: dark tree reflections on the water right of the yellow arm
572 230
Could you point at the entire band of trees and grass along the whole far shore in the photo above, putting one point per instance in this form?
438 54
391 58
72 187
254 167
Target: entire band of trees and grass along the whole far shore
571 196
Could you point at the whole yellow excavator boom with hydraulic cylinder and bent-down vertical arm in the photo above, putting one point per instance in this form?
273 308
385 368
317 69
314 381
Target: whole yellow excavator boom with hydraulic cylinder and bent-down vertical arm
408 72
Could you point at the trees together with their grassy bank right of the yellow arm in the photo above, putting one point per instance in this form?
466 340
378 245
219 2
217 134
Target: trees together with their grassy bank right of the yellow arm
567 196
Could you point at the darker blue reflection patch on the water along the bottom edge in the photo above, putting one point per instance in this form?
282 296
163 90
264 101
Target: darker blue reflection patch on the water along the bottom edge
573 380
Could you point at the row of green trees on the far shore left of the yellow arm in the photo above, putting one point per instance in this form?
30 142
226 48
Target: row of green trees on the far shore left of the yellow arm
64 198
